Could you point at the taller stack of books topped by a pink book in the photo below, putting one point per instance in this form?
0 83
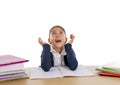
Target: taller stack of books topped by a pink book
12 67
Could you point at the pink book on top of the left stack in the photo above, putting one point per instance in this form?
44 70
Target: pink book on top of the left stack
10 59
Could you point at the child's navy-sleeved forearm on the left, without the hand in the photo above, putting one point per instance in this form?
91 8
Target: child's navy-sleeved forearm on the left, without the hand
46 61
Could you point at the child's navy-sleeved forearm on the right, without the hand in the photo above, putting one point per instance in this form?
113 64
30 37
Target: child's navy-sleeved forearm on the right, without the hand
71 57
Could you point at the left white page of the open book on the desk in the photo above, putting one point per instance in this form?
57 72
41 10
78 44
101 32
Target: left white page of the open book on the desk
40 73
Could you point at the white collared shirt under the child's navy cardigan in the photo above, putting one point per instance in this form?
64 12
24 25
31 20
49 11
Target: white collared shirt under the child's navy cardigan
58 58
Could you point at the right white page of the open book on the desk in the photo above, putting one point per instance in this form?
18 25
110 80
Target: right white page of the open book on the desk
80 71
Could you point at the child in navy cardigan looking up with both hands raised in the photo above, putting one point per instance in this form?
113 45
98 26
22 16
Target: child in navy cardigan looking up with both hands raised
58 52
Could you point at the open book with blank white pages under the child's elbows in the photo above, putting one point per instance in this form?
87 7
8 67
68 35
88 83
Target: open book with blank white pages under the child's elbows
59 71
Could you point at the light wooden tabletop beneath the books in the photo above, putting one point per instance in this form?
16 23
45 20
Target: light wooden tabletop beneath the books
93 80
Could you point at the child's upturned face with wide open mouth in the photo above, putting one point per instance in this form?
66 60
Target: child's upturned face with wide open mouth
57 37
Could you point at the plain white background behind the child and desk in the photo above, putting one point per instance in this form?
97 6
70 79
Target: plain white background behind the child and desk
95 23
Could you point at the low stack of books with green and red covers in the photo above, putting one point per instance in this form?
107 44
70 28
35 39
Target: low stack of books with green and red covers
109 69
